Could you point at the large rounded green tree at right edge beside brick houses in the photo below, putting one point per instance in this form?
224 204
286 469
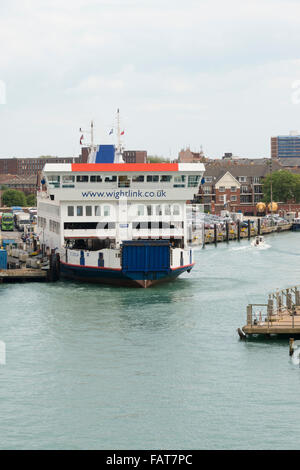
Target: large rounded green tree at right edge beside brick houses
285 186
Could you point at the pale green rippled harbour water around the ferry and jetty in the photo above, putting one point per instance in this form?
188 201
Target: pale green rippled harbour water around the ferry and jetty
91 367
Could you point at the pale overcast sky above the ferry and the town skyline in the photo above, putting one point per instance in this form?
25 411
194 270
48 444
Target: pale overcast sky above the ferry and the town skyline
210 73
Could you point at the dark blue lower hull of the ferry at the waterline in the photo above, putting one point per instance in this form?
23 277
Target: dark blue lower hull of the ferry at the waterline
118 277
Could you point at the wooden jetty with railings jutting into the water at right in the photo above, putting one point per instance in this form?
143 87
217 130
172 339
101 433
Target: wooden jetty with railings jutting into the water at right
280 316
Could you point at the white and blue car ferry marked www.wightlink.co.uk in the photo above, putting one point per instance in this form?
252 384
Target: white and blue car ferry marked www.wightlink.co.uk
117 223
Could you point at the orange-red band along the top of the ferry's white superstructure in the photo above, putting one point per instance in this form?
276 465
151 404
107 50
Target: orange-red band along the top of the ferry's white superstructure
124 167
